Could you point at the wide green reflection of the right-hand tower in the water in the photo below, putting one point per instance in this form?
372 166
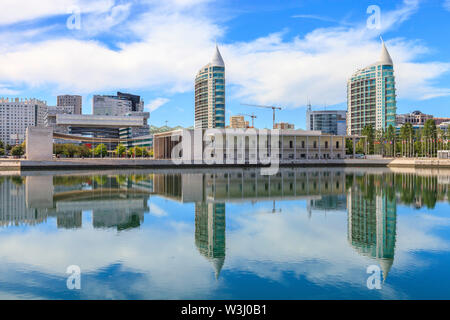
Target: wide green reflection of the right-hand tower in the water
372 226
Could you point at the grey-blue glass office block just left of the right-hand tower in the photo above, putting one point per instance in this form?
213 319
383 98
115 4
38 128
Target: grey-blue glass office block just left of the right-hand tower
327 121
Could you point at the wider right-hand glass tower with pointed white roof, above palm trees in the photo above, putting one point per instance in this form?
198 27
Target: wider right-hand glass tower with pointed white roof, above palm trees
371 95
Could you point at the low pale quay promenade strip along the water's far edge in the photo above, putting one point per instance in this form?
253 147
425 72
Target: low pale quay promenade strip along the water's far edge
116 163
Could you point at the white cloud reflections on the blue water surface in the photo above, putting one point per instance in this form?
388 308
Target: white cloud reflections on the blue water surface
266 245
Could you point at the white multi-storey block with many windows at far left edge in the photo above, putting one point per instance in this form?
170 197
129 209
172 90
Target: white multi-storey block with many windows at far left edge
17 115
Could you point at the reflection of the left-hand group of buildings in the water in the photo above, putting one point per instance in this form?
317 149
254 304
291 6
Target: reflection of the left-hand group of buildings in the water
31 200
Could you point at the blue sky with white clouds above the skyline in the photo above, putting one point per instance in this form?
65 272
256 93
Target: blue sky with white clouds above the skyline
282 53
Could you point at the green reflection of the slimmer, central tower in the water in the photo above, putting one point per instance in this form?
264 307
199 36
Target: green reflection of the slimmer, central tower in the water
210 233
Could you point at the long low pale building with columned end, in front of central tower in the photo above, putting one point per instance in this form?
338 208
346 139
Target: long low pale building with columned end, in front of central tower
249 147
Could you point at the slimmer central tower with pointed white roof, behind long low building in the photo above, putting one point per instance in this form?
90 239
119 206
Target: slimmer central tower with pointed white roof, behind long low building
210 94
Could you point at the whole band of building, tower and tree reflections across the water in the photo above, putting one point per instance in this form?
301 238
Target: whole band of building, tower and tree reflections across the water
120 201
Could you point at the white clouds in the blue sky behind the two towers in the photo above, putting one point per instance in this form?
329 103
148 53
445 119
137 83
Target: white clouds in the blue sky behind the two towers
175 39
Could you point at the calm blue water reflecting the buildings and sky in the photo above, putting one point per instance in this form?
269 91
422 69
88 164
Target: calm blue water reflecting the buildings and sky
225 234
